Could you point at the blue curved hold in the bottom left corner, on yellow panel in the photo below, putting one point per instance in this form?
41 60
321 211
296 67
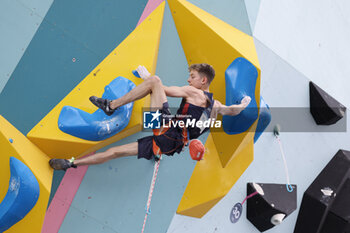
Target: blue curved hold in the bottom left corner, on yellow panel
21 197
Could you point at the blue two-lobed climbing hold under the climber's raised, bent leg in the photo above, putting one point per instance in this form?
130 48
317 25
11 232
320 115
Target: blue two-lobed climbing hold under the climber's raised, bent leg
98 126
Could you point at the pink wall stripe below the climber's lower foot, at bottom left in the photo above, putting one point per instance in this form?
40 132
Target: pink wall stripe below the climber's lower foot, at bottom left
63 198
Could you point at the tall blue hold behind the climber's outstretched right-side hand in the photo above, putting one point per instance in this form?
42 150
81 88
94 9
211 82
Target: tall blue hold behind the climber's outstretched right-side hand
240 77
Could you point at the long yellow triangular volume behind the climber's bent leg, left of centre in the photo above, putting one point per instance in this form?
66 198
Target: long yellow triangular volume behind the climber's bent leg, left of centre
139 48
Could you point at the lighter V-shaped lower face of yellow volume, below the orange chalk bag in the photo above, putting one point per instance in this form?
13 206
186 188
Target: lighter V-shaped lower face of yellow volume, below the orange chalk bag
210 182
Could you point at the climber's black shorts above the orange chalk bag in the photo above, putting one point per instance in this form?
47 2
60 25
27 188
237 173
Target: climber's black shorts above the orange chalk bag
169 142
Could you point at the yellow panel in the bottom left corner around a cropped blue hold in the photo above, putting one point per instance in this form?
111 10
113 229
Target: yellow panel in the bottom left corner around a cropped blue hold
24 150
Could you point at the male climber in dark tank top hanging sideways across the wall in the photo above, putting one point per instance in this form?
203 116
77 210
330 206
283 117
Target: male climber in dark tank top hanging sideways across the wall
197 103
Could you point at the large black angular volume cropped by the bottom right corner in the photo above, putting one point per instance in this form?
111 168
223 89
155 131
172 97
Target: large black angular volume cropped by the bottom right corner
325 207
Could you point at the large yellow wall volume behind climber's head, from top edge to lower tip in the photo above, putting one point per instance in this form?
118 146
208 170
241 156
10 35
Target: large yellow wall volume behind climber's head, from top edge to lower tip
207 39
